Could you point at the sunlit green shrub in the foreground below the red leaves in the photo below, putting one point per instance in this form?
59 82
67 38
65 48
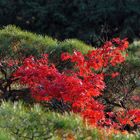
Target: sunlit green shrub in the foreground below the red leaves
22 122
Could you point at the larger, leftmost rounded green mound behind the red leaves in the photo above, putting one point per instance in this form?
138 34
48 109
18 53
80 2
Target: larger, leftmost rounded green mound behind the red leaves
17 43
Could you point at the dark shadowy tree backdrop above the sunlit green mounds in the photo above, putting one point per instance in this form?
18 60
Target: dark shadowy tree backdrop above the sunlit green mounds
90 20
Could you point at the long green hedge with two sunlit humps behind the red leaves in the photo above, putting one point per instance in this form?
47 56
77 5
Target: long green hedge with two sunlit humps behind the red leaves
16 43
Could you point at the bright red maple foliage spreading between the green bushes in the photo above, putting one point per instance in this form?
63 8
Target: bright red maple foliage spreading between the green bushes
79 87
